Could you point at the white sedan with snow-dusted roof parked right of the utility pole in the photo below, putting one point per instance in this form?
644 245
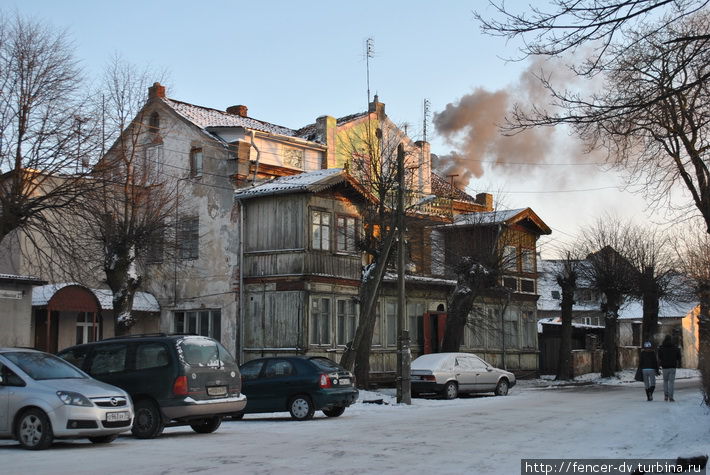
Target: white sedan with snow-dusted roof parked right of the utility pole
450 374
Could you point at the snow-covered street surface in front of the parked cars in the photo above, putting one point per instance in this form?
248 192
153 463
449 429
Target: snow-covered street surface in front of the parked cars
482 434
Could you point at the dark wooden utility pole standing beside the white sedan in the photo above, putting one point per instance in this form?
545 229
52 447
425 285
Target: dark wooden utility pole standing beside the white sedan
404 356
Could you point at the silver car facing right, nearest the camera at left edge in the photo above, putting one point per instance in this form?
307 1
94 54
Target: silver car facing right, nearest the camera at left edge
42 397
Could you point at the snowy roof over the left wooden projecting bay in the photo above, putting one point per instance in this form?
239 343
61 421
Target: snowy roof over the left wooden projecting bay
311 182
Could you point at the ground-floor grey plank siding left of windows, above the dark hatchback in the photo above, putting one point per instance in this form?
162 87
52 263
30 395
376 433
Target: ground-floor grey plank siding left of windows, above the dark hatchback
273 319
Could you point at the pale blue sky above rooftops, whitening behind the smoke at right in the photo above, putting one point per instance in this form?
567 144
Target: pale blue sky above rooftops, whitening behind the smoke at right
291 62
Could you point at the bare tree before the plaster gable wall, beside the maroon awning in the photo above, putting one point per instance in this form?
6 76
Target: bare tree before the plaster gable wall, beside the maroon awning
129 217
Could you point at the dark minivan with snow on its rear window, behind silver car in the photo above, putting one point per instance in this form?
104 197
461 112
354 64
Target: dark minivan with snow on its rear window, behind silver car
172 379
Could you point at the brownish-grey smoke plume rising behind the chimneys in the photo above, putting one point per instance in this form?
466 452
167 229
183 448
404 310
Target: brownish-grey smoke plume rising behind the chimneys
472 127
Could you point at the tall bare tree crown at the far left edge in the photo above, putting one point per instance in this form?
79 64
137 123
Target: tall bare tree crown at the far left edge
46 133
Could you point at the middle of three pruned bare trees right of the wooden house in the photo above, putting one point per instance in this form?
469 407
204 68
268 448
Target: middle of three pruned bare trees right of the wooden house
608 270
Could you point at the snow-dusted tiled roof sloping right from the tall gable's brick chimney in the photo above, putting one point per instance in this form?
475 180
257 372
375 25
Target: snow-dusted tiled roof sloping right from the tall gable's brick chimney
204 117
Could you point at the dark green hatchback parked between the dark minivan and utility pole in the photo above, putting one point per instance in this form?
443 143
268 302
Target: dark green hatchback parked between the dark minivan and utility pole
297 384
